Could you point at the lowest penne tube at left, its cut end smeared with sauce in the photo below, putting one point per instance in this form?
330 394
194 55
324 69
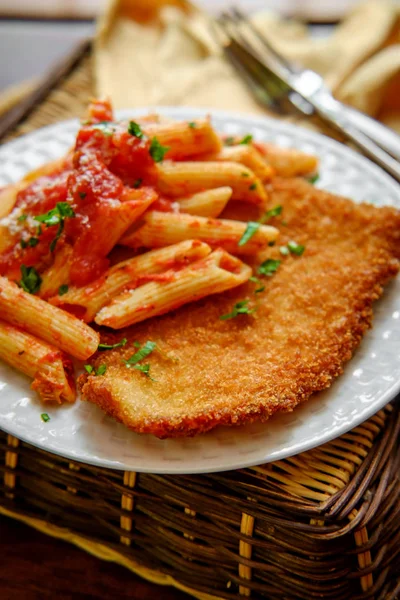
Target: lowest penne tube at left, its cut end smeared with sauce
50 369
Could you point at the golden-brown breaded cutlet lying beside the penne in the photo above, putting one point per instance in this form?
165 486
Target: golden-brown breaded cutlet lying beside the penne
308 322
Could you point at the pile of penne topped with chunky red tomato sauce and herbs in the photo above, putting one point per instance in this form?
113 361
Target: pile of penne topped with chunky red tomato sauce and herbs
157 188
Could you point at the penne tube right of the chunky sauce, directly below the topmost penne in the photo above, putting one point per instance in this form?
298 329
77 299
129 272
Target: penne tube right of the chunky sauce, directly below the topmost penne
185 178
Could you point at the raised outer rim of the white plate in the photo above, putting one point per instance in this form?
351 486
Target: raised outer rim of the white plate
254 121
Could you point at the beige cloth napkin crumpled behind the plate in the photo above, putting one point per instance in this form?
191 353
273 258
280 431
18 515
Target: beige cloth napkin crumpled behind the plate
154 52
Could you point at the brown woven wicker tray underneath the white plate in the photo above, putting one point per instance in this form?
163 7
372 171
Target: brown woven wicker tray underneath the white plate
323 524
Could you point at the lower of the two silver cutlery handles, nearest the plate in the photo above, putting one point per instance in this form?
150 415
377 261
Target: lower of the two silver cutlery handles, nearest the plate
362 141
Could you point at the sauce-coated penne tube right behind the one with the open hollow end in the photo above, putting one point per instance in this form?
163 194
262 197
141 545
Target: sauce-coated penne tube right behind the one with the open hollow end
87 301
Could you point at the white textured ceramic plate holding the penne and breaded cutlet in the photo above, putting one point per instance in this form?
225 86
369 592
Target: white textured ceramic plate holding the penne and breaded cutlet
372 378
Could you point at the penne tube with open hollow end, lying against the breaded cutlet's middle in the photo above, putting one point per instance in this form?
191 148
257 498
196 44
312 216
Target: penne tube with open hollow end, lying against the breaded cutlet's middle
218 272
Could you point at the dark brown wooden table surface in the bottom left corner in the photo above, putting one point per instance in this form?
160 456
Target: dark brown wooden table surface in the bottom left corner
34 566
